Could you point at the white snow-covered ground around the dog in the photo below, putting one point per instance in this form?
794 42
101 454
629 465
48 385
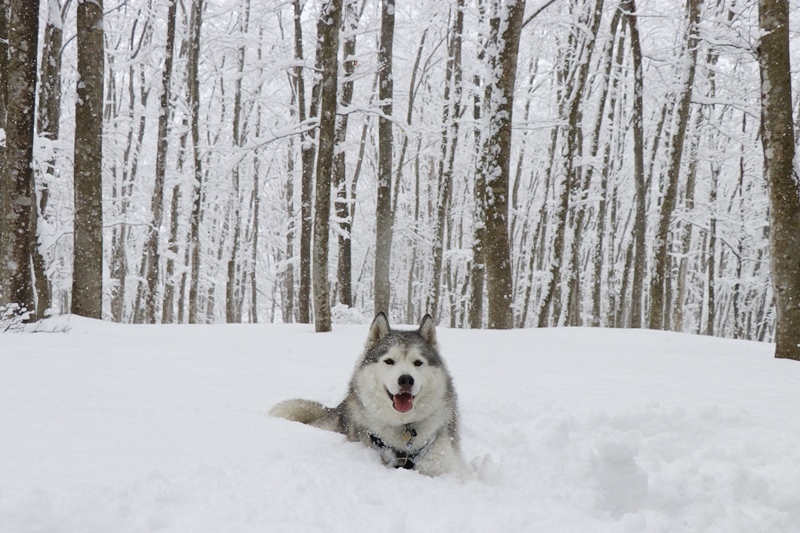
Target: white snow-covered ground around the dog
139 428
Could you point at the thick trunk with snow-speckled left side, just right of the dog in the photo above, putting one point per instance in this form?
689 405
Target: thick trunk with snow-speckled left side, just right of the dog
506 25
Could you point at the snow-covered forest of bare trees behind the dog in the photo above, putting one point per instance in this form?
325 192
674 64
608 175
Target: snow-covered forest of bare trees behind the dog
495 163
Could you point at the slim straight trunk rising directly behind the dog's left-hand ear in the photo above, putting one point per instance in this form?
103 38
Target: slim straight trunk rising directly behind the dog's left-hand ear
383 209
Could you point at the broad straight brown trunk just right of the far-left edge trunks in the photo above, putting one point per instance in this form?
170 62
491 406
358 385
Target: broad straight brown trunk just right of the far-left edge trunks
87 276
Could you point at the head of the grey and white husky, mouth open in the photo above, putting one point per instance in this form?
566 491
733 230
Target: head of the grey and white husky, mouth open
401 372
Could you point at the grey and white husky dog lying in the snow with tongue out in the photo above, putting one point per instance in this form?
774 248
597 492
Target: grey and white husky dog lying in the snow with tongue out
401 402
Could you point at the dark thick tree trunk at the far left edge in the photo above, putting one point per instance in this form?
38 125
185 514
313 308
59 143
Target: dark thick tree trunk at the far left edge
17 196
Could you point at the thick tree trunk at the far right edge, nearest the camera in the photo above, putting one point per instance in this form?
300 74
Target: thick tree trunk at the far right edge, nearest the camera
777 134
